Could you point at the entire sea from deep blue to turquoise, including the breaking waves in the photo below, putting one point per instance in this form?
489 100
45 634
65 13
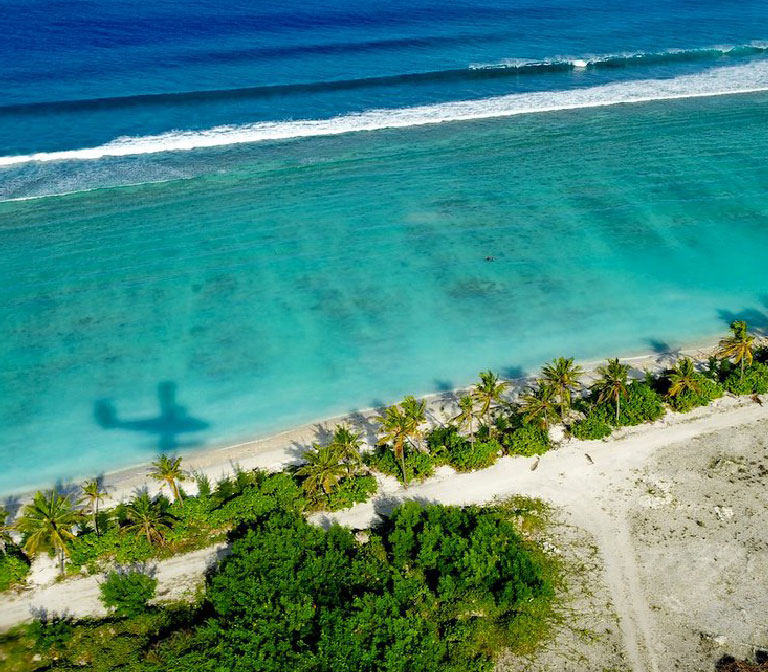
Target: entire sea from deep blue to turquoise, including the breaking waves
219 221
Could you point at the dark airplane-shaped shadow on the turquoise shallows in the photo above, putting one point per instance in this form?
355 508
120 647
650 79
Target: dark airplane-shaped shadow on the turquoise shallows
172 421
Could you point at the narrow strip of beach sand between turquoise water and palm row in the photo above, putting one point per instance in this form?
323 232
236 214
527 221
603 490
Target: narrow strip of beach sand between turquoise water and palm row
276 451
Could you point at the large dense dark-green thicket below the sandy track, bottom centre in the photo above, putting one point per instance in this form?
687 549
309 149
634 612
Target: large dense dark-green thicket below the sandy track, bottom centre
436 588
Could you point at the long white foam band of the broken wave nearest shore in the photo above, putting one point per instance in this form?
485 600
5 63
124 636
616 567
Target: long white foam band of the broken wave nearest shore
723 81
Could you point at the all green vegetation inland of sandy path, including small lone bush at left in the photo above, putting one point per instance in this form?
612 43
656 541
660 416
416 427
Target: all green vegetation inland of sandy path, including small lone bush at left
433 588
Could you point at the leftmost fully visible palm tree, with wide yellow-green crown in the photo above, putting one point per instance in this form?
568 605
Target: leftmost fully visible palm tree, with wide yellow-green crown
47 523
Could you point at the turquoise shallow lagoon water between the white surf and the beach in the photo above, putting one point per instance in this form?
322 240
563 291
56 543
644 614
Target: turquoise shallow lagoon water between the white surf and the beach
296 280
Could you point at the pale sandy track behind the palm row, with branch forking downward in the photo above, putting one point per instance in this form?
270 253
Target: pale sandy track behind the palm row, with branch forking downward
592 481
